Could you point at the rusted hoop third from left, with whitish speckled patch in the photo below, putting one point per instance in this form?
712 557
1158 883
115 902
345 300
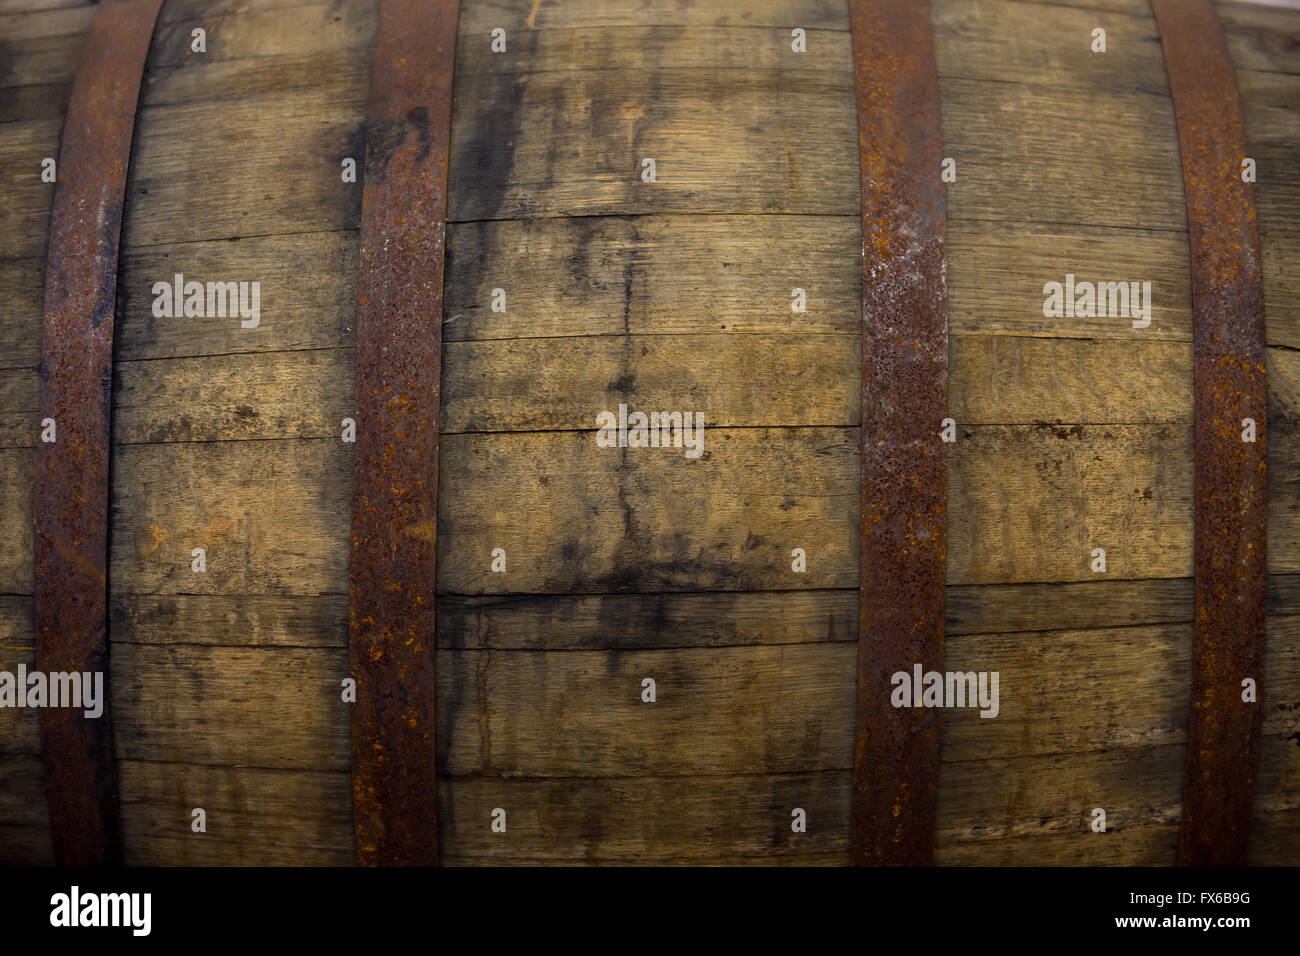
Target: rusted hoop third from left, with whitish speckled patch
904 403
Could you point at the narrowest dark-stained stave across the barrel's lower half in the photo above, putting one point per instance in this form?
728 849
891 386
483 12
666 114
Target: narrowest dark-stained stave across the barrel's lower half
587 622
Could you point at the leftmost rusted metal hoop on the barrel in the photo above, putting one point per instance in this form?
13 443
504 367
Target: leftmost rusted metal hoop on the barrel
76 391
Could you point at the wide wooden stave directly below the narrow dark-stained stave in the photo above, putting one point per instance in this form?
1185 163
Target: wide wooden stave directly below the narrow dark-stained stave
501 712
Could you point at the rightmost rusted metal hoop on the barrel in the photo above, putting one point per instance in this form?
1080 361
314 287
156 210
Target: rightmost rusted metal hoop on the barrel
1228 312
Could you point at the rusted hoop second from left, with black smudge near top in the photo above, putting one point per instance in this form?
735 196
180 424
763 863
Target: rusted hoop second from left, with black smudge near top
396 458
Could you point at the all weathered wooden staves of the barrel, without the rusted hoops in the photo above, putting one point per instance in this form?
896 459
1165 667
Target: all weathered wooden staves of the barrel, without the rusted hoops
625 565
